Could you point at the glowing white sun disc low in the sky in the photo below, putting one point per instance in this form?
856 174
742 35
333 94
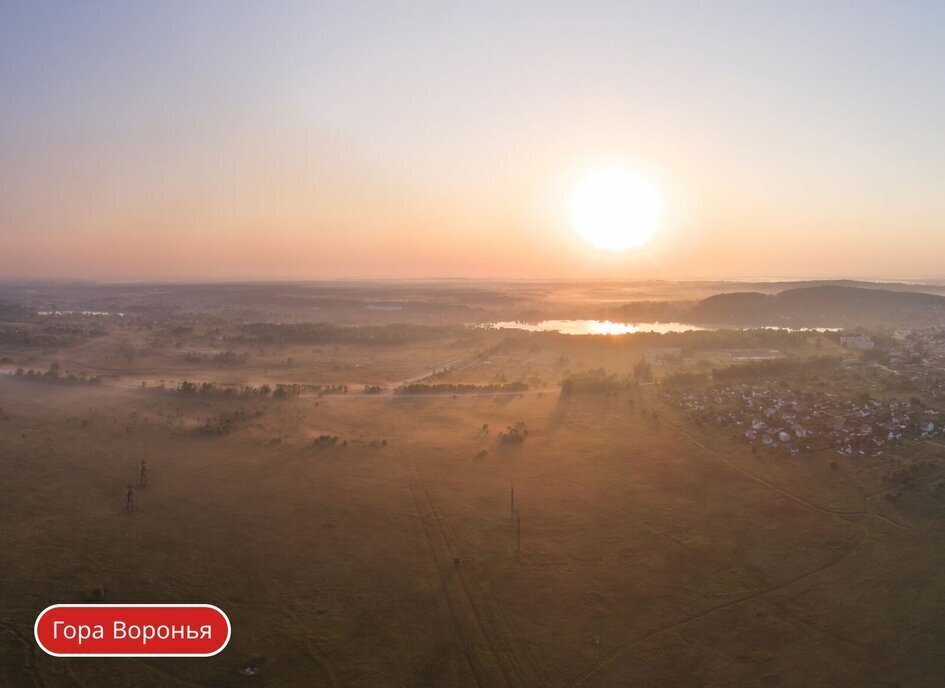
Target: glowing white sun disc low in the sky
615 210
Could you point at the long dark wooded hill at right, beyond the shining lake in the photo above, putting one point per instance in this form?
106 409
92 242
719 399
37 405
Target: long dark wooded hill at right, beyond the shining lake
821 306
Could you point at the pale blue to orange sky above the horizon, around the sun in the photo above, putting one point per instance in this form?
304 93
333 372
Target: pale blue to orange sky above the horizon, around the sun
281 140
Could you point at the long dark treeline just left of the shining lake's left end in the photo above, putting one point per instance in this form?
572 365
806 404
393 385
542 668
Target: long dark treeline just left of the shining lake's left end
328 333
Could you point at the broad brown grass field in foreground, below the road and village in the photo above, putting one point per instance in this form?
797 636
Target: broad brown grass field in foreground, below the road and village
652 553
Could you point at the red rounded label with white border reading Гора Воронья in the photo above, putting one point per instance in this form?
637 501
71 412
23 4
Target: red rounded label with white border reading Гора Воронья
132 630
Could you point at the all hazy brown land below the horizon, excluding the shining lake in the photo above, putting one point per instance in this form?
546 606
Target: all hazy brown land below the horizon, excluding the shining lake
381 487
